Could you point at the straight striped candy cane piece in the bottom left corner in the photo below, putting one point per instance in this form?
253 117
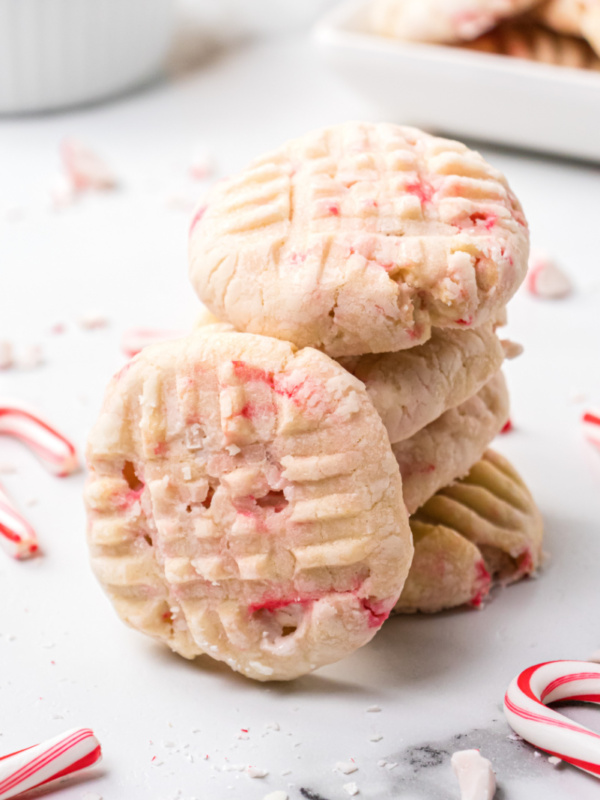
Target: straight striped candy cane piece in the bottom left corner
56 758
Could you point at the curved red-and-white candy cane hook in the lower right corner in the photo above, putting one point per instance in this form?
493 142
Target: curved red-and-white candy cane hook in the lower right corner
525 709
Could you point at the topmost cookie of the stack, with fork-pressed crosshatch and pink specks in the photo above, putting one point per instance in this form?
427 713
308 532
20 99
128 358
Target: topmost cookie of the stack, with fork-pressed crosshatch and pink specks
358 239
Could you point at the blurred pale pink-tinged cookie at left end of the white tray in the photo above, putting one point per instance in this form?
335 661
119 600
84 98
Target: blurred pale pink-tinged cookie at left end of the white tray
441 21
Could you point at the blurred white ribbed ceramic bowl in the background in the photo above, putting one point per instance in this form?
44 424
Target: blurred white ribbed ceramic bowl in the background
56 53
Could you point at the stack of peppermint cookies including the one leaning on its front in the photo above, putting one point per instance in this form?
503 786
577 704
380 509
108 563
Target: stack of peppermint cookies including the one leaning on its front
269 489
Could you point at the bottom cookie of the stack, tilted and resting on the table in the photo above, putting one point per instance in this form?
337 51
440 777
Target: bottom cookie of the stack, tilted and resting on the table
479 530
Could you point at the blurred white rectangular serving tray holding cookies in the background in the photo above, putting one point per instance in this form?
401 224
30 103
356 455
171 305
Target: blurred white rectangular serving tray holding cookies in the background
470 94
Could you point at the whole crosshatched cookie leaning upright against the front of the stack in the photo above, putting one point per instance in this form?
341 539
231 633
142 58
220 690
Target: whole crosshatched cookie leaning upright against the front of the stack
243 502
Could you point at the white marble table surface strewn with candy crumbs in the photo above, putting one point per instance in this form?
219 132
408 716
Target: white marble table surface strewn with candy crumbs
65 658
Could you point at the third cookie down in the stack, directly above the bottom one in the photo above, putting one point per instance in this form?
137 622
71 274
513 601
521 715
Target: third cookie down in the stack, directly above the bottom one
446 449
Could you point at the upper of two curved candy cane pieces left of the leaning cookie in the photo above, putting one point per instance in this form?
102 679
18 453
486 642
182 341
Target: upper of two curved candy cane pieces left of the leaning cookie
51 447
